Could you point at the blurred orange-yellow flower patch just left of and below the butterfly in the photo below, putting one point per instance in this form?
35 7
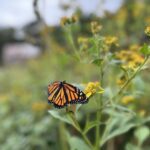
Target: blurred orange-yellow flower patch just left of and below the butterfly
39 106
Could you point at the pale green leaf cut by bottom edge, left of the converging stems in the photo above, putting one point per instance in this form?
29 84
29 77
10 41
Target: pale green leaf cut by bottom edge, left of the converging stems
77 144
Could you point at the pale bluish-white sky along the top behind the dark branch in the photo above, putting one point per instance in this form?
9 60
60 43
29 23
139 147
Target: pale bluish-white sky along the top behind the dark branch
17 13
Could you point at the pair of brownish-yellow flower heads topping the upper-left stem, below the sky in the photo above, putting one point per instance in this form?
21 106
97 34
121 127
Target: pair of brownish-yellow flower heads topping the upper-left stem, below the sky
65 20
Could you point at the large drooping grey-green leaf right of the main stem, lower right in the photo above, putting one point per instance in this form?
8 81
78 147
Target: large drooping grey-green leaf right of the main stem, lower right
119 123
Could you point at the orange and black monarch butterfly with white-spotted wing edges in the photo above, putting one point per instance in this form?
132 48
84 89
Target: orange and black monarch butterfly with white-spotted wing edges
61 94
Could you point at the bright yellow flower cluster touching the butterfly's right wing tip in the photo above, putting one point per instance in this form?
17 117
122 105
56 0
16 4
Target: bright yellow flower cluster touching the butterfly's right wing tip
92 88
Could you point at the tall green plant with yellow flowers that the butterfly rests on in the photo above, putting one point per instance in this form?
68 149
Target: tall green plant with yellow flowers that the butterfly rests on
109 118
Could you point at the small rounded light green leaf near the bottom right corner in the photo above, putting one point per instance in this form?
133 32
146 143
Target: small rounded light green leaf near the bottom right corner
142 133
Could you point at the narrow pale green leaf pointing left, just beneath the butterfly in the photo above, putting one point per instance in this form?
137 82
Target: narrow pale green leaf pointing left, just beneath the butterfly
62 117
